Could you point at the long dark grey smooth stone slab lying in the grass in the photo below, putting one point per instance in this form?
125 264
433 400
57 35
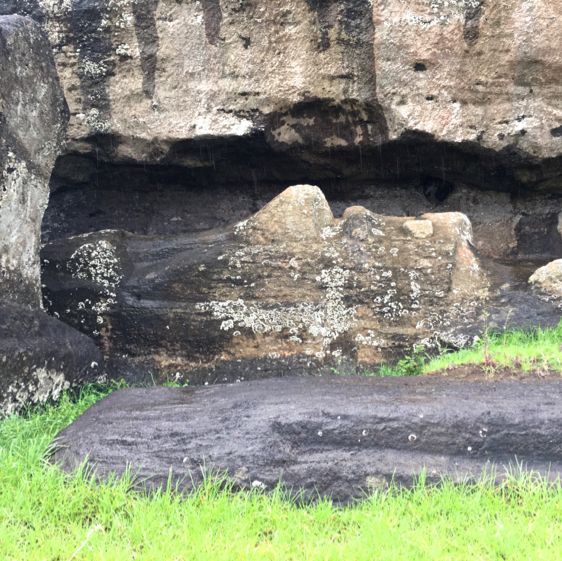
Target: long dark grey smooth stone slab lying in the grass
339 437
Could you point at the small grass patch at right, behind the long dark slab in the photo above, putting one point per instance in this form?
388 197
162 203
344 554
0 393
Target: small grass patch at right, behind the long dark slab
537 349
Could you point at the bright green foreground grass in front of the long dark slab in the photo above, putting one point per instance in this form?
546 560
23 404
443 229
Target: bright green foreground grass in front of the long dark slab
47 516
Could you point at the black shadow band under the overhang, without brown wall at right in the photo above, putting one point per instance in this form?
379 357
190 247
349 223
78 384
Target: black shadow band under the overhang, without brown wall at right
234 177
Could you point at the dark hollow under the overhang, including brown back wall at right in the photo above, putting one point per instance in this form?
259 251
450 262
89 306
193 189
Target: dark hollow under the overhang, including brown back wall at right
193 187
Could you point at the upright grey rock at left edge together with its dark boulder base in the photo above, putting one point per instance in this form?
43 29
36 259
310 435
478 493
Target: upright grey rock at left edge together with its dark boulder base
39 355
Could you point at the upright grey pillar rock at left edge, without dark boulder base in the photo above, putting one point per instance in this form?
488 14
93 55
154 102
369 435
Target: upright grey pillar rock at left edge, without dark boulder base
33 118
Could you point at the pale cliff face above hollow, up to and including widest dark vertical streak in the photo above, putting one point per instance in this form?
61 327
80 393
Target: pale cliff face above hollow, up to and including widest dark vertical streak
154 73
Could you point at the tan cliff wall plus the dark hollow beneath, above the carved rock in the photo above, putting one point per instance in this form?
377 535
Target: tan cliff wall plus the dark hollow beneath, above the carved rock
188 116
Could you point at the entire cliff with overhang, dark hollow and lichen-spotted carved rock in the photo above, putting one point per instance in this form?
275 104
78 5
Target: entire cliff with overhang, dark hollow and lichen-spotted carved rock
436 123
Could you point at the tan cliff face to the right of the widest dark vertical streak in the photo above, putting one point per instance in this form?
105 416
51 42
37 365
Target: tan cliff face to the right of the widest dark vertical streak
473 71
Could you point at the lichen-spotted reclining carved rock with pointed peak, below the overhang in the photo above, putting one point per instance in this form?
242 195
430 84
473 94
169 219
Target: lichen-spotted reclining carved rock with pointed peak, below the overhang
290 285
